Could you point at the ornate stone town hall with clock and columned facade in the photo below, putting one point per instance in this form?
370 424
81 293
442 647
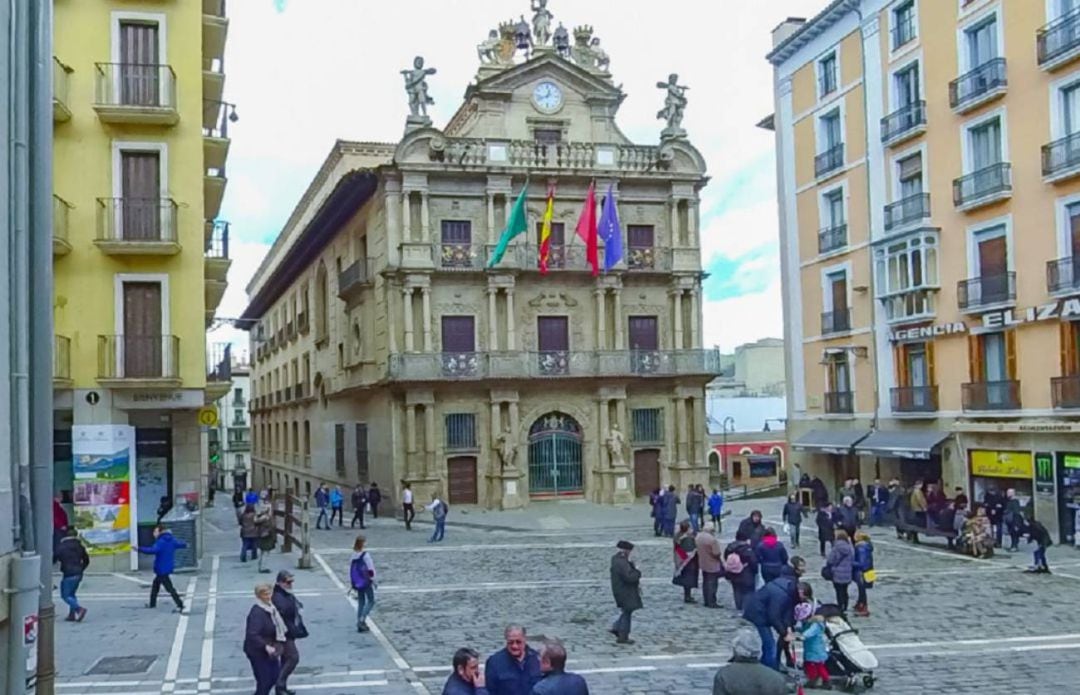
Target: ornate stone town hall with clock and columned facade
386 349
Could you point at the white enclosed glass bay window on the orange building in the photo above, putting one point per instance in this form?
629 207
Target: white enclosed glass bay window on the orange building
908 276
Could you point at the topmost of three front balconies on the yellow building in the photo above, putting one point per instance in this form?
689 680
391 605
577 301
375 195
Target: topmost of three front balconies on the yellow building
144 94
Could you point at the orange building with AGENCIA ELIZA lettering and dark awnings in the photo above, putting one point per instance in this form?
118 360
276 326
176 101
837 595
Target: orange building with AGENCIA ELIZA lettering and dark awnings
929 194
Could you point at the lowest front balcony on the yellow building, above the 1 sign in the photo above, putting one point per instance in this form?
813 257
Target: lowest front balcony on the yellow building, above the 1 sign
139 361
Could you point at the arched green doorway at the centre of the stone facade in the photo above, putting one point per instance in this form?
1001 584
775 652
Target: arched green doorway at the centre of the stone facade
556 456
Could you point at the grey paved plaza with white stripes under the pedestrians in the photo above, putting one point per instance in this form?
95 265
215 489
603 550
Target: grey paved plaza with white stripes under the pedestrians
940 622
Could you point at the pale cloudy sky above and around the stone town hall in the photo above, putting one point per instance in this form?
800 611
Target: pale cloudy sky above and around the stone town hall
307 73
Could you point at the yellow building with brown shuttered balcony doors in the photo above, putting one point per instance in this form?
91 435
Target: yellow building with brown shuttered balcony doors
140 256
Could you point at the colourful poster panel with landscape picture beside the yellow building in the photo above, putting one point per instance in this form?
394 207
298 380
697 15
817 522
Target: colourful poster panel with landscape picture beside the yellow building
104 472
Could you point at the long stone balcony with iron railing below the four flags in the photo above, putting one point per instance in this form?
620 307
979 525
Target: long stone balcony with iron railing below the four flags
551 364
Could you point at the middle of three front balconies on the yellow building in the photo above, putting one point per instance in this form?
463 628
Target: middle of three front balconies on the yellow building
138 227
